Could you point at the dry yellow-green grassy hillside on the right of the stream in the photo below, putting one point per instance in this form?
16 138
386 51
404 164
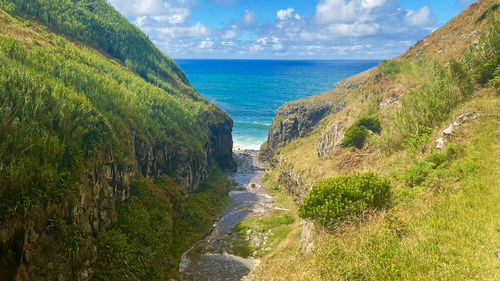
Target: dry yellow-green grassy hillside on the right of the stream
441 222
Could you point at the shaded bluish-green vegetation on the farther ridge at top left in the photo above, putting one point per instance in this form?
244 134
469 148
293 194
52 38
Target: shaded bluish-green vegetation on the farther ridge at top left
97 24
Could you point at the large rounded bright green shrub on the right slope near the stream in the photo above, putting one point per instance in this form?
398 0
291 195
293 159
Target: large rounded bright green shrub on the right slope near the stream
336 199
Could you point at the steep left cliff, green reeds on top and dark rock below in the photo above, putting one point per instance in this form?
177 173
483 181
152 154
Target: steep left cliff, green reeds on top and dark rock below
82 117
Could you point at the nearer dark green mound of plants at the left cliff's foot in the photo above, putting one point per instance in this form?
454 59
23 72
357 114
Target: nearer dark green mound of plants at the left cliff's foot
138 246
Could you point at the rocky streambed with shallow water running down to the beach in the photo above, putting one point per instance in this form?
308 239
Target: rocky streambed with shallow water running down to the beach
211 258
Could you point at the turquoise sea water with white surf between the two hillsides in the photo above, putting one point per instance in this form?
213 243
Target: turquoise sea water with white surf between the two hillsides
251 90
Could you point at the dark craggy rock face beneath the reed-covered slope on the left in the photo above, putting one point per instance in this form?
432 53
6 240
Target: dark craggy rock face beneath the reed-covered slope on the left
31 250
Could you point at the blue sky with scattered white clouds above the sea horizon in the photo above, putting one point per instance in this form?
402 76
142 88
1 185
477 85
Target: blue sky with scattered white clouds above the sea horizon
287 29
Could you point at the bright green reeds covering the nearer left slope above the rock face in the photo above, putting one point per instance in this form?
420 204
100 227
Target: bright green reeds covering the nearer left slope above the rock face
62 105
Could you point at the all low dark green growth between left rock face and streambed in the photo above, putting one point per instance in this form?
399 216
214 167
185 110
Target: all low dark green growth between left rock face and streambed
155 226
